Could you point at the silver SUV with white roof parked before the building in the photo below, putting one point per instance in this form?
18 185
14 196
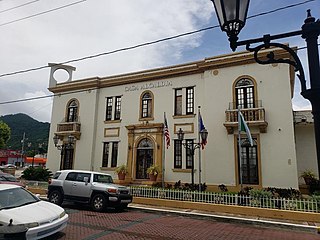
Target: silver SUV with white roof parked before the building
88 187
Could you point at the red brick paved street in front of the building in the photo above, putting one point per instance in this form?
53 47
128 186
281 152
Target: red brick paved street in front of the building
148 223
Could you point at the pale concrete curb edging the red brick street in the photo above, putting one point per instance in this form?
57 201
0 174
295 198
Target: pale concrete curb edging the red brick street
231 219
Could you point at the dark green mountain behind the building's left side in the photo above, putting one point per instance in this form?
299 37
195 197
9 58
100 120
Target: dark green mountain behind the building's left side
36 133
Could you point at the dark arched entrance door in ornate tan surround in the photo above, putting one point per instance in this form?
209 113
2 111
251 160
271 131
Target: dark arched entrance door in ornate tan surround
144 158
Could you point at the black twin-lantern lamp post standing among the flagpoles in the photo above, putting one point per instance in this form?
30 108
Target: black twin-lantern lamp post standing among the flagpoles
191 147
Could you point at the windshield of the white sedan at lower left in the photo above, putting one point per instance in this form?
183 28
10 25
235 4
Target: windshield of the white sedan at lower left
16 197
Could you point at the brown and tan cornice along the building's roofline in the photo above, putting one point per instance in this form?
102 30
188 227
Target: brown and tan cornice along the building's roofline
222 61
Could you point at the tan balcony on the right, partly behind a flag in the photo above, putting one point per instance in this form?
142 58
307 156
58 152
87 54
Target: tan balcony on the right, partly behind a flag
253 117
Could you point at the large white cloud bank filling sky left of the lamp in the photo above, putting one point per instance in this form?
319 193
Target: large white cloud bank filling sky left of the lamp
86 29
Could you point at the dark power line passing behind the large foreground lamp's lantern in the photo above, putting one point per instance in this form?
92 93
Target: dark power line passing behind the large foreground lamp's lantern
149 43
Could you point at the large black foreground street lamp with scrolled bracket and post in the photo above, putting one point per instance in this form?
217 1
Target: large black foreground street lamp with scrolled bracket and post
232 15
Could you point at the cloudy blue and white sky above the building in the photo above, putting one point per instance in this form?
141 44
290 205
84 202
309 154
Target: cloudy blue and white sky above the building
34 33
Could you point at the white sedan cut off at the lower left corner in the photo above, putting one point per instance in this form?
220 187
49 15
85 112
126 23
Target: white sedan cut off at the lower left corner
22 208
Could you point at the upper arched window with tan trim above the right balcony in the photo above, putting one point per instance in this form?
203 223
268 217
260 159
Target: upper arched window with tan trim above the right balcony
244 93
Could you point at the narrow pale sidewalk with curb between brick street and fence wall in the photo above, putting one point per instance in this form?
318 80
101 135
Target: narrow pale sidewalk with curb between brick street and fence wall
302 226
